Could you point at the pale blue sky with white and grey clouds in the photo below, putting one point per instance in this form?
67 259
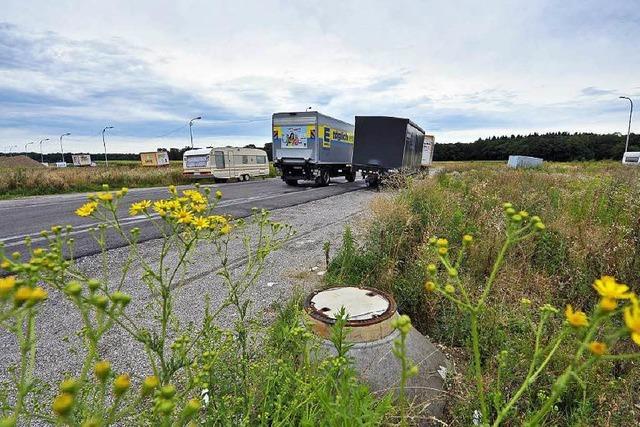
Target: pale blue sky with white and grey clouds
460 69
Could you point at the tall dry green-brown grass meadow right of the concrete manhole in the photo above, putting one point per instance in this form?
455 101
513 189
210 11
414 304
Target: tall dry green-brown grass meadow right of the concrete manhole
593 228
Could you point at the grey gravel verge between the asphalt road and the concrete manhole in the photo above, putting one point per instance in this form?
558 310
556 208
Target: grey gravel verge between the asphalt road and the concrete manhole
289 270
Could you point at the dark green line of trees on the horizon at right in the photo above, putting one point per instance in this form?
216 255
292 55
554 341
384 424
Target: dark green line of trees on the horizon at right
553 146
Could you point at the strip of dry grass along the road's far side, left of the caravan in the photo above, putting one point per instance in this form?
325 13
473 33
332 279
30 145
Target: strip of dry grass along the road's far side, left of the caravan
21 181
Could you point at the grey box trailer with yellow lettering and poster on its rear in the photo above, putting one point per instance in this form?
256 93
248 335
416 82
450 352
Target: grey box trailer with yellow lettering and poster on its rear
312 146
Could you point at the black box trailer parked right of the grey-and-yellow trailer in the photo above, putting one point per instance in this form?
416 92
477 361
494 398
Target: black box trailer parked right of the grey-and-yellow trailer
386 145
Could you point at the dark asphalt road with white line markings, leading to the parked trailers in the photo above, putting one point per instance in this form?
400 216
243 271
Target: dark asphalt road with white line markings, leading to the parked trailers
26 217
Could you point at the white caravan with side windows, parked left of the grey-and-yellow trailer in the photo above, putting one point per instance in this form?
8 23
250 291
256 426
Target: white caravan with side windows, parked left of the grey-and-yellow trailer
224 163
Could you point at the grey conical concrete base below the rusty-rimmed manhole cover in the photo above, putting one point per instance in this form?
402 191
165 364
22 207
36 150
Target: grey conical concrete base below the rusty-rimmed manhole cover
378 367
